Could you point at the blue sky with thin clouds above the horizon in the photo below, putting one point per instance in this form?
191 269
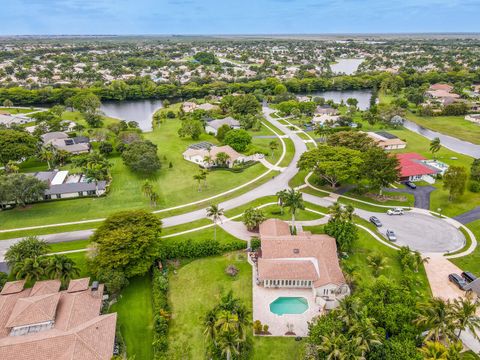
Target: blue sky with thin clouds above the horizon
128 17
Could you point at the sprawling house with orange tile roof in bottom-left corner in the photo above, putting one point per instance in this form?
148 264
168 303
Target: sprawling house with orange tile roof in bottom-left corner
45 323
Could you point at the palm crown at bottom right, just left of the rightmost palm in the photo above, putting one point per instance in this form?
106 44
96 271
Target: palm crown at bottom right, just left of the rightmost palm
436 315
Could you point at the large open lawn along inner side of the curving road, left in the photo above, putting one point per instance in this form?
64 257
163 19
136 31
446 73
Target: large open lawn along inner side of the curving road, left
174 185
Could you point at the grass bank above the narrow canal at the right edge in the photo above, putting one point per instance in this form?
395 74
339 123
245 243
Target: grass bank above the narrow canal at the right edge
455 126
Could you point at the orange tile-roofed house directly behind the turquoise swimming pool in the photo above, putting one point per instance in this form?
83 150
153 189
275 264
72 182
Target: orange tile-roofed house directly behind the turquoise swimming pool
302 261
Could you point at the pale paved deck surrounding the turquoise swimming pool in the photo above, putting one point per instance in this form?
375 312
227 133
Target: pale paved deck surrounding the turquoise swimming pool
262 297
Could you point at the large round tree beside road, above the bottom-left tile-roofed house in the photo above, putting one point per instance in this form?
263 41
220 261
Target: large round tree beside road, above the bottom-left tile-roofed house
127 241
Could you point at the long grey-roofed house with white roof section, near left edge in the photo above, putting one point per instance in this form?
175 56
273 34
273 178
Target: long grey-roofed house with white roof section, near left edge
62 185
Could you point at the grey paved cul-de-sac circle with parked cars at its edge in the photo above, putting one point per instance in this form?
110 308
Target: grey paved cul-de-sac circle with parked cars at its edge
421 232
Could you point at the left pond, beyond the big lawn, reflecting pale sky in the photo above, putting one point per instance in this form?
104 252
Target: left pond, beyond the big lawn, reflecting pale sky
140 111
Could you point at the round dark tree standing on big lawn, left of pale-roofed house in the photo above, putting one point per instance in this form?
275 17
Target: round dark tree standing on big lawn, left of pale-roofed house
141 156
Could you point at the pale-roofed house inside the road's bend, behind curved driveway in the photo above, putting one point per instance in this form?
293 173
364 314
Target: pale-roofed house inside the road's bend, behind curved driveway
201 152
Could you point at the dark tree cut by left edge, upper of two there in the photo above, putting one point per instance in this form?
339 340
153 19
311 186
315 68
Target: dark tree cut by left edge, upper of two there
16 145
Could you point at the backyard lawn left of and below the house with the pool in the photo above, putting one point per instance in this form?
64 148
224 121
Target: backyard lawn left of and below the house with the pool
197 287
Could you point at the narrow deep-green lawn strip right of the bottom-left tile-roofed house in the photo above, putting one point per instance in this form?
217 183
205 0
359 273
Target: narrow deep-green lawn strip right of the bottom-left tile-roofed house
135 318
